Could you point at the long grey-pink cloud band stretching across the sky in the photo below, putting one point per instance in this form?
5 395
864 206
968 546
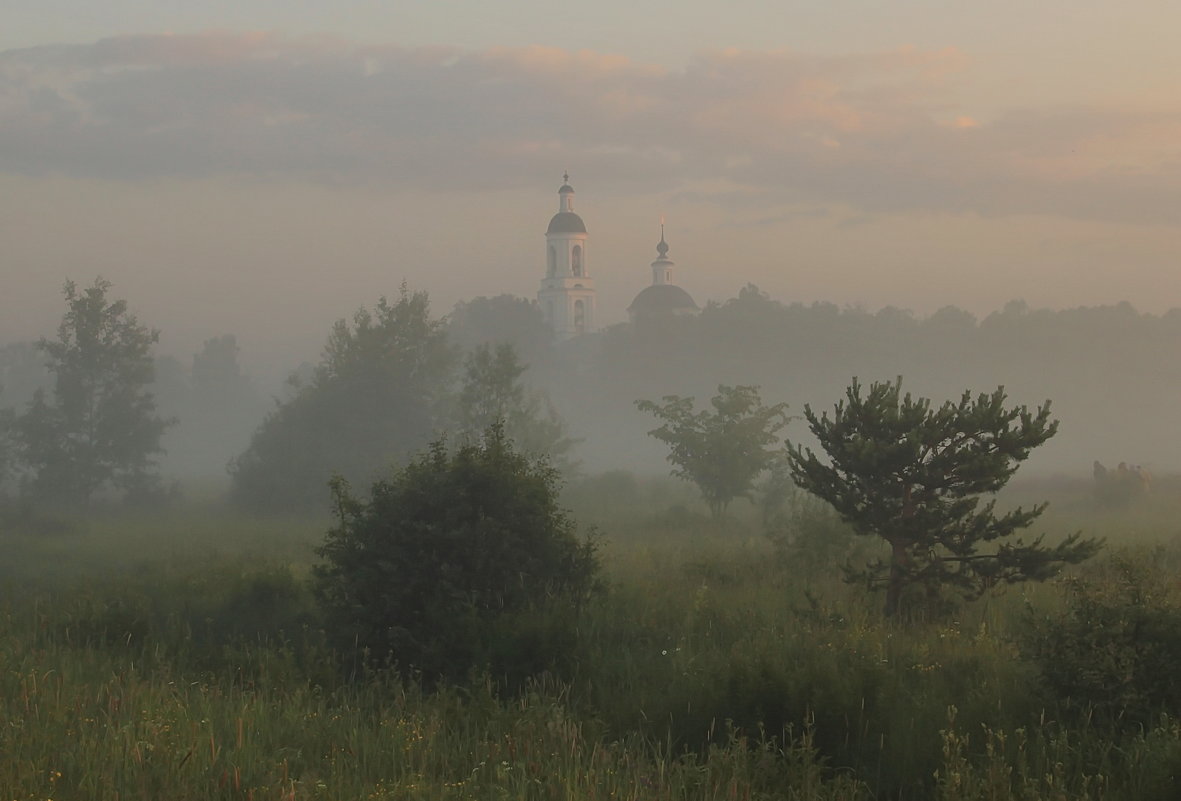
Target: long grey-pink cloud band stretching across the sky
878 133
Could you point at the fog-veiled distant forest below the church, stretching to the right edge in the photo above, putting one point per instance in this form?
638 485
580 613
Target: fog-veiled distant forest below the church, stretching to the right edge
1110 372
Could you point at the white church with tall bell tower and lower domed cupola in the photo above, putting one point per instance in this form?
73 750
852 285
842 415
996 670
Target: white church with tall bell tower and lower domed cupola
567 297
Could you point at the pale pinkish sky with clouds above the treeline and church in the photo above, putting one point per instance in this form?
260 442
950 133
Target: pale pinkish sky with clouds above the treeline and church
265 168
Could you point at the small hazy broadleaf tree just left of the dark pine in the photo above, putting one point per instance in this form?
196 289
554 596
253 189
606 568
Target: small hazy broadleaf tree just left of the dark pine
722 451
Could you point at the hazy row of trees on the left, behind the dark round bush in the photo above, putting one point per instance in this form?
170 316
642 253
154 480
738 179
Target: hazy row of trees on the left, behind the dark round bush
99 408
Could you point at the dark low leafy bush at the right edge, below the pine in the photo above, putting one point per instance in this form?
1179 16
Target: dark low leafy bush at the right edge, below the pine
1114 652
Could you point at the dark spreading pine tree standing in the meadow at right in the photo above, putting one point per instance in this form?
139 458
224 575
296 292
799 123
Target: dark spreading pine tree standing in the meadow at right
914 477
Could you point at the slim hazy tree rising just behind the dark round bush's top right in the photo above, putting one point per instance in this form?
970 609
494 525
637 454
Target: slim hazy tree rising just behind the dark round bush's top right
493 392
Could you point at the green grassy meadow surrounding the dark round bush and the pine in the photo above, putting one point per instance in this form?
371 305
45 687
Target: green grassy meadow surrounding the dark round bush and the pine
180 655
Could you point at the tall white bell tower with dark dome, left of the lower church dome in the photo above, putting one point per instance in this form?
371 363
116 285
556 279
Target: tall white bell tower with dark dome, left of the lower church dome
567 292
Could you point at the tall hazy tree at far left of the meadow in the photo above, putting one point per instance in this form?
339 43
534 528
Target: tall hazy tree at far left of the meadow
101 432
